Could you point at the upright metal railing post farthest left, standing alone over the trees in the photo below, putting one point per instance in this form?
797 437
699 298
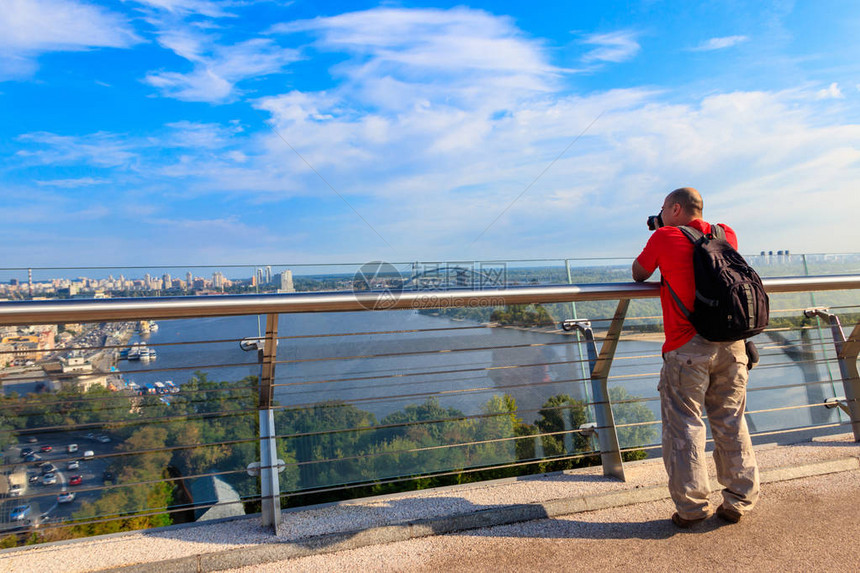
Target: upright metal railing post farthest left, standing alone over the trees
269 484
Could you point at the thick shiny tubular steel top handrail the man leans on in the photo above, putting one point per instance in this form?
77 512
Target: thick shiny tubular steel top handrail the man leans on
106 310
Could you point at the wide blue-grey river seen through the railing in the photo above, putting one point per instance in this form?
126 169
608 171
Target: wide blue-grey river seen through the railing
355 357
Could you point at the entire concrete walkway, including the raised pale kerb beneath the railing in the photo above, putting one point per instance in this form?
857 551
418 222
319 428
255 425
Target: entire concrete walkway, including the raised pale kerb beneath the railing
578 520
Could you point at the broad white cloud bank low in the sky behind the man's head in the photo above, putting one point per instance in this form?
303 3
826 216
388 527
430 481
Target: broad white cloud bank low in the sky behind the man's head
769 152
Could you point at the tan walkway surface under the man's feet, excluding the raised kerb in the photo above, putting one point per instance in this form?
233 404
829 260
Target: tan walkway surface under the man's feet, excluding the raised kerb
804 525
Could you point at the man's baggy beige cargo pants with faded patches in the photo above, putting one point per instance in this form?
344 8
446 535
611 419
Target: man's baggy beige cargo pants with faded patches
712 375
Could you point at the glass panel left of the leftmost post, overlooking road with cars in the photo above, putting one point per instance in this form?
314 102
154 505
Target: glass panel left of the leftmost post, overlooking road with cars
116 426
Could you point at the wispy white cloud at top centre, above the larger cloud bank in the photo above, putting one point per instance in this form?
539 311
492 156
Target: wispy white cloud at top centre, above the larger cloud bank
435 55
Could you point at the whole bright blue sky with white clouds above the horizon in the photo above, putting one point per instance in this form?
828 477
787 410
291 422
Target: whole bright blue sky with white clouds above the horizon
178 132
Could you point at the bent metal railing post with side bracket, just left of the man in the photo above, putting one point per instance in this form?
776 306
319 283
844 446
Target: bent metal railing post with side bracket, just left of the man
607 436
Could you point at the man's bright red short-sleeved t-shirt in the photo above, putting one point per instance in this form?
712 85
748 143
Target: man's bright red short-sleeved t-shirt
672 252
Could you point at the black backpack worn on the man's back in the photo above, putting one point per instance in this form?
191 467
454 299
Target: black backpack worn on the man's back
730 300
